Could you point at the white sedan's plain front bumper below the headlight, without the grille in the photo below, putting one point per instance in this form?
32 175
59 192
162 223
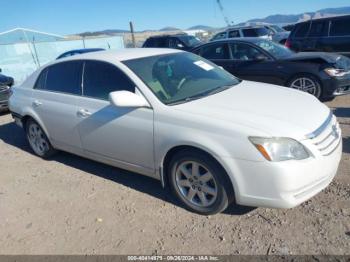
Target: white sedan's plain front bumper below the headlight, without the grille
284 184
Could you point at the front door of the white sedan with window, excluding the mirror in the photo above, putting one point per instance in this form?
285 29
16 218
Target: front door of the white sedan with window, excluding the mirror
121 136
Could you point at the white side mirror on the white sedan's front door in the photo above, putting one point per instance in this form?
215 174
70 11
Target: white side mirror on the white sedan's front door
127 99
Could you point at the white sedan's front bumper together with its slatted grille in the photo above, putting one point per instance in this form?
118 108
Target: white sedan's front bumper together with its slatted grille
287 184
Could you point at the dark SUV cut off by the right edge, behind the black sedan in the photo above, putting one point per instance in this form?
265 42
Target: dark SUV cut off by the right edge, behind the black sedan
330 34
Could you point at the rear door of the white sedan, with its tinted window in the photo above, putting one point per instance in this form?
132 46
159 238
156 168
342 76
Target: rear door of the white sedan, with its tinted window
54 101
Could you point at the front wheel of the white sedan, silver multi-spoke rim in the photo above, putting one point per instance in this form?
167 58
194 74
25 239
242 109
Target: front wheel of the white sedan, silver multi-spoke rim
206 189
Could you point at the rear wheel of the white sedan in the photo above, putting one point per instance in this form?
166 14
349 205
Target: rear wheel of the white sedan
38 140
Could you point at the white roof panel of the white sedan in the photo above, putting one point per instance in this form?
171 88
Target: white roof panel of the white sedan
123 54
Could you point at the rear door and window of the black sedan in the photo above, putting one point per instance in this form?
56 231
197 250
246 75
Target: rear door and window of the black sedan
219 54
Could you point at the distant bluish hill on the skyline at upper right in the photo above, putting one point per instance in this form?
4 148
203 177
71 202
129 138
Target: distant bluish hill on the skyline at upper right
289 19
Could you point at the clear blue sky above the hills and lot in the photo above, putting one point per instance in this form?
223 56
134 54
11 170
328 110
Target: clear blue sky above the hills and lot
75 16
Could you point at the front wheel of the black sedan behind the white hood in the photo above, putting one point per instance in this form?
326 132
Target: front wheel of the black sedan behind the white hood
307 83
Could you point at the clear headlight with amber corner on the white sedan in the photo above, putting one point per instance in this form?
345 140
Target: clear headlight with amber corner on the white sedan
280 149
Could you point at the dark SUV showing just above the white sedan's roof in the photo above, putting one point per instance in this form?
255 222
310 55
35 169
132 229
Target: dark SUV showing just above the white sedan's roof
179 41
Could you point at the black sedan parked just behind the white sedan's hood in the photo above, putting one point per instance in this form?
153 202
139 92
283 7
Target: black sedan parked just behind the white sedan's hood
323 75
